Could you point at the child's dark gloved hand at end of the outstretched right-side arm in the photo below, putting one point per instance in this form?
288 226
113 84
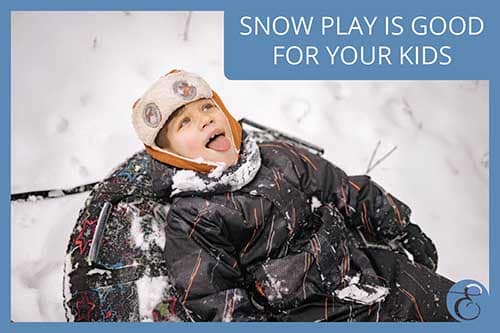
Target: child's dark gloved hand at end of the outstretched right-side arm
420 246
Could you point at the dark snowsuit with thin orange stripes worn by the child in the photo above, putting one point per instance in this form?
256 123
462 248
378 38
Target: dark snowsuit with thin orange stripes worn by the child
301 241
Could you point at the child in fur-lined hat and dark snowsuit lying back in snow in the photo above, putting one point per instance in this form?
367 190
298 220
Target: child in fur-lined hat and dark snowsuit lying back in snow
272 232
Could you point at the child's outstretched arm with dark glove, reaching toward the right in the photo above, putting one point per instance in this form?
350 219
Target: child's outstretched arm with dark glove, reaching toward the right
363 203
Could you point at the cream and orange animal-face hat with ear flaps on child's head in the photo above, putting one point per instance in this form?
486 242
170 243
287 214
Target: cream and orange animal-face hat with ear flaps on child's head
152 111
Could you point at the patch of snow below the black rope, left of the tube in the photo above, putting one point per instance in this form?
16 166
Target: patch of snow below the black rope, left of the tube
40 233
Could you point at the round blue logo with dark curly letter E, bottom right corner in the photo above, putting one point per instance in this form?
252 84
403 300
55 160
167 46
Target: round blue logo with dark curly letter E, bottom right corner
465 299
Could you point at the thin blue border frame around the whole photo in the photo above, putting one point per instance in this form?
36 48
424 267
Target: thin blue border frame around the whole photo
485 322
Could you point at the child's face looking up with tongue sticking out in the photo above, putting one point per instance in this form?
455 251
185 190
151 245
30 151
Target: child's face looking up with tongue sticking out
200 129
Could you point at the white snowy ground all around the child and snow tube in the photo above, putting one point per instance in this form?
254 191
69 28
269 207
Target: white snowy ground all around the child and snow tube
75 77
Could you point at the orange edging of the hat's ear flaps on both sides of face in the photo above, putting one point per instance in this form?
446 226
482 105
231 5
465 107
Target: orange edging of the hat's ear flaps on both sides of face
186 163
